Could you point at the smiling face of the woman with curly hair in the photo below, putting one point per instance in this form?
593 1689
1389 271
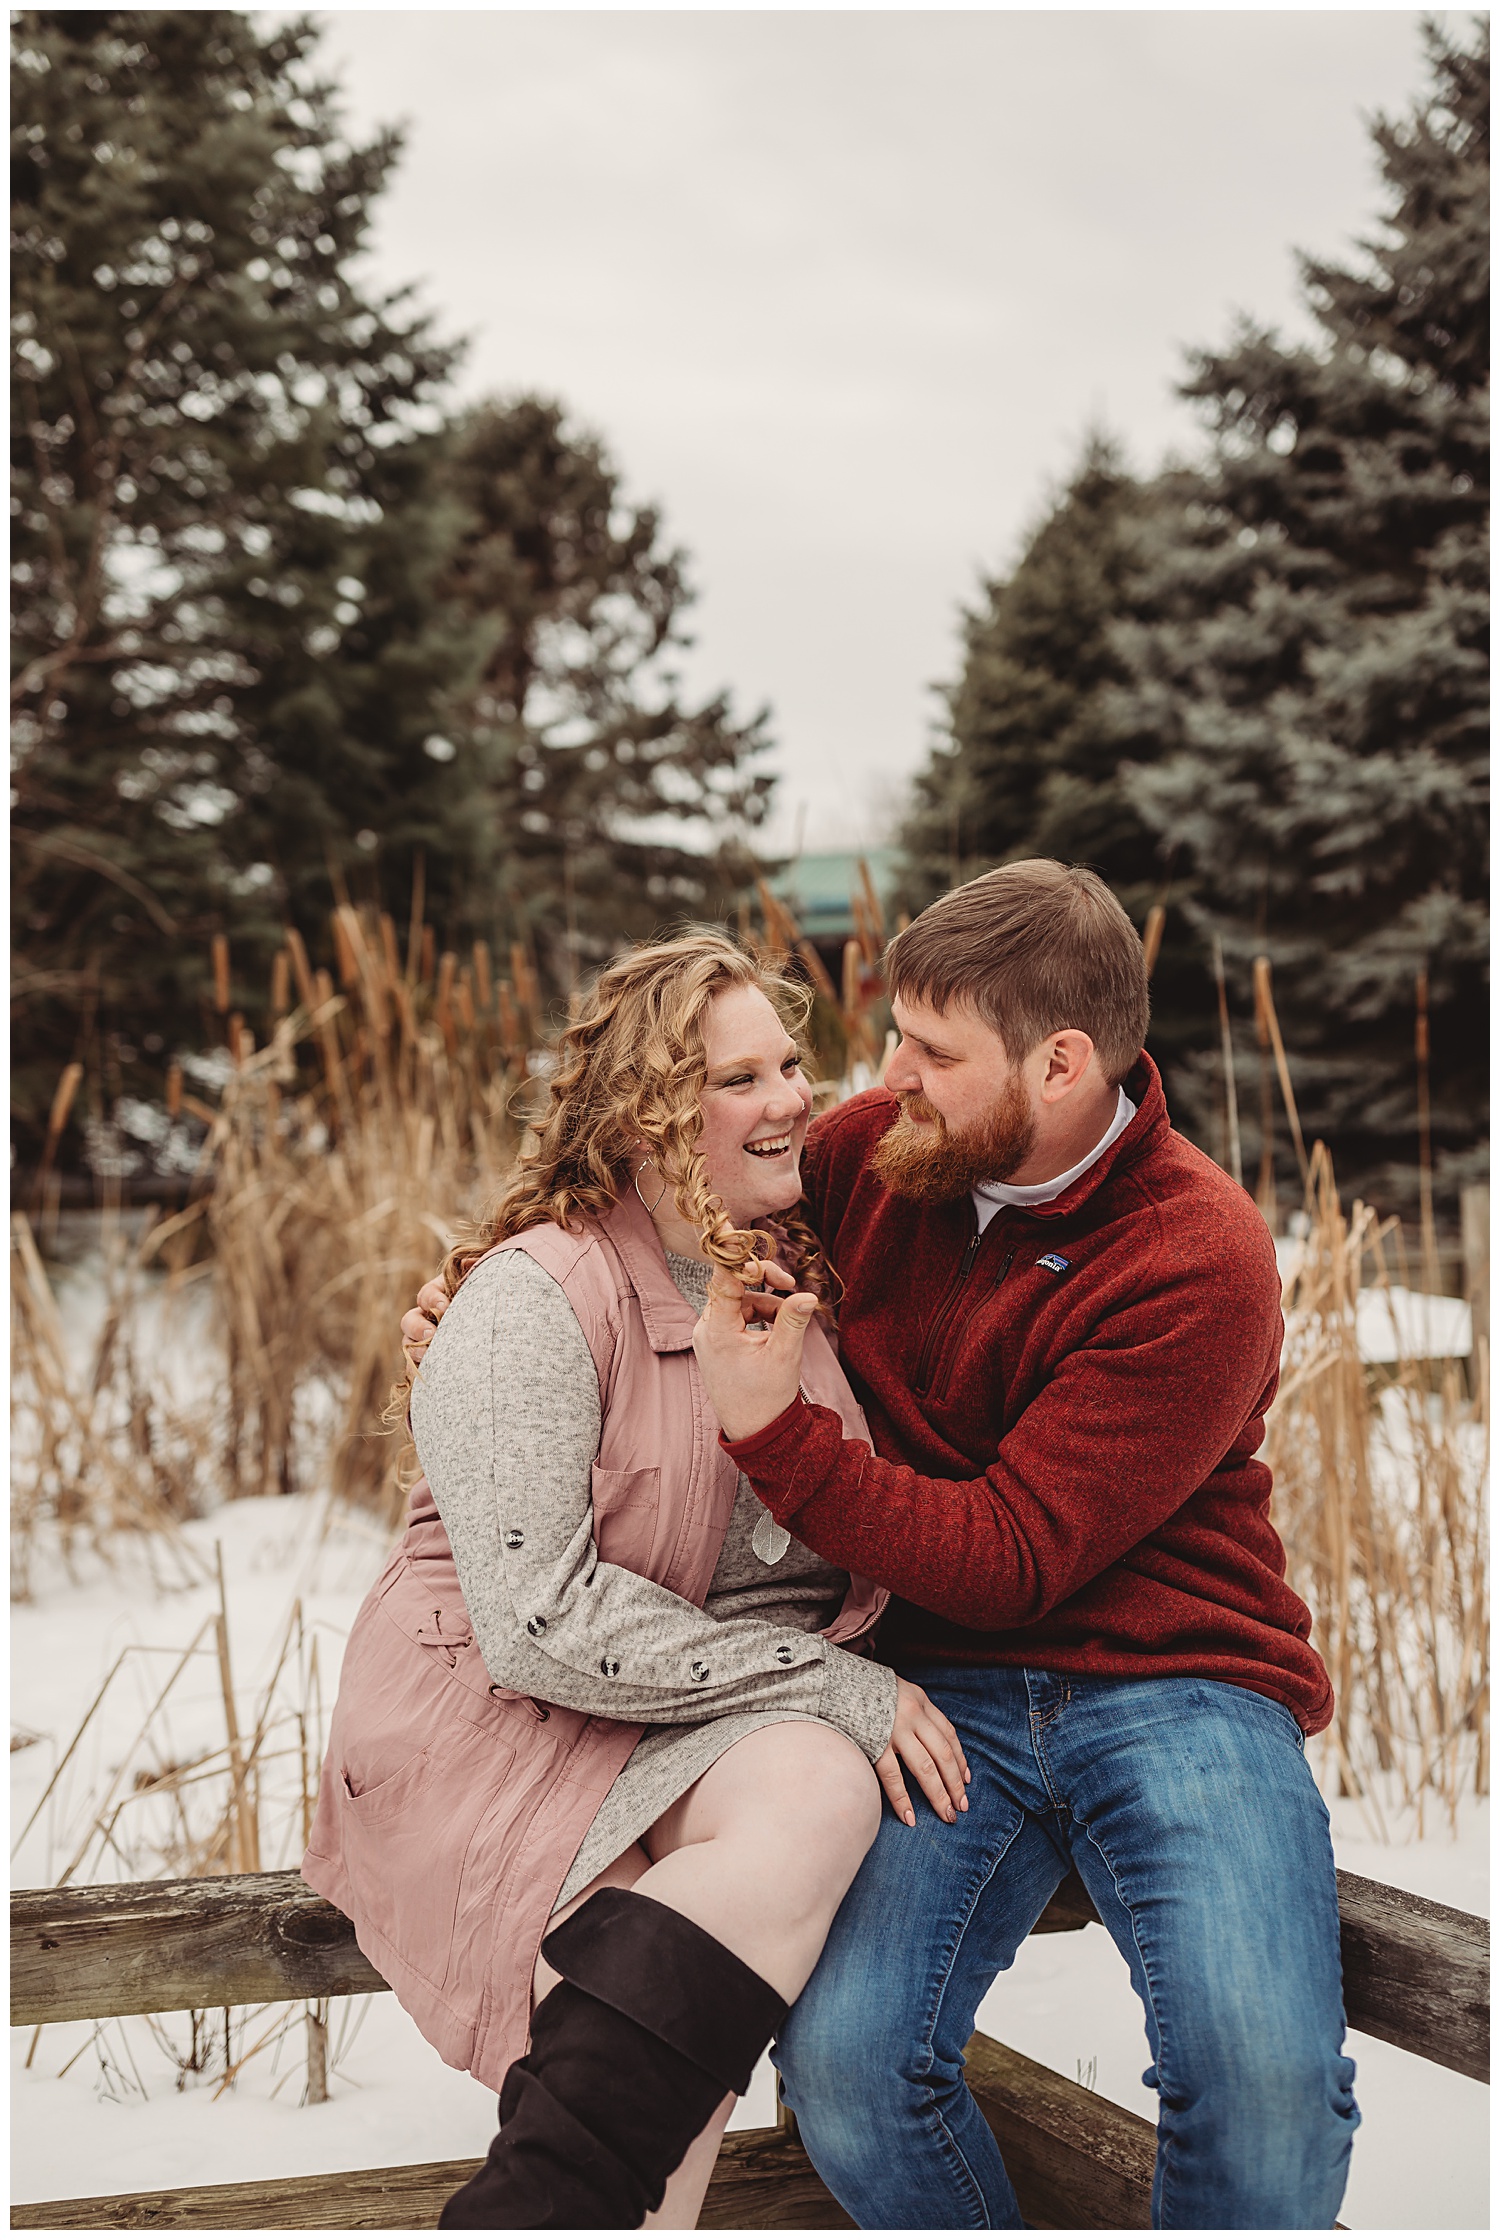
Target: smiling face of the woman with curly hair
756 1108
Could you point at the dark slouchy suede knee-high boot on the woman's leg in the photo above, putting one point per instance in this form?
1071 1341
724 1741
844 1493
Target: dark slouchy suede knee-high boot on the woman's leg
630 2055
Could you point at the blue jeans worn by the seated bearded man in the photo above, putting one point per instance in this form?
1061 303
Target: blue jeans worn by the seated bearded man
1201 1838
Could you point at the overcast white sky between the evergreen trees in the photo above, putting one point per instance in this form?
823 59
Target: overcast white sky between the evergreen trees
845 292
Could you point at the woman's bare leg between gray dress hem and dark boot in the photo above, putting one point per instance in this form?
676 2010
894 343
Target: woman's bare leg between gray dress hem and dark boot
760 1854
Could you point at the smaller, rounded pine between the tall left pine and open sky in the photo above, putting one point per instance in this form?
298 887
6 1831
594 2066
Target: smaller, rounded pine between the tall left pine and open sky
612 803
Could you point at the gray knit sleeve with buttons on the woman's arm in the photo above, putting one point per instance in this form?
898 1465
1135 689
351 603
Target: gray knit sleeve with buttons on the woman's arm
507 1424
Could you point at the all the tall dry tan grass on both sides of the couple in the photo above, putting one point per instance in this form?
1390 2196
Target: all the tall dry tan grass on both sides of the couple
386 1108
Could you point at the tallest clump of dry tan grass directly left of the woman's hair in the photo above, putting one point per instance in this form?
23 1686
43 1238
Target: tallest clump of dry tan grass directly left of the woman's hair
344 1155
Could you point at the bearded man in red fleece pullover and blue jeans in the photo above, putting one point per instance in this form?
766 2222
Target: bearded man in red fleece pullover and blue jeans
1065 1327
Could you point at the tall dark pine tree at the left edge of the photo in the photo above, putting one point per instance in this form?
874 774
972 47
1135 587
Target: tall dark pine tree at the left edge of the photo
232 633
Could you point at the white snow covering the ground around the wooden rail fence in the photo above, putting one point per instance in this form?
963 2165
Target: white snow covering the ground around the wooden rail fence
106 2118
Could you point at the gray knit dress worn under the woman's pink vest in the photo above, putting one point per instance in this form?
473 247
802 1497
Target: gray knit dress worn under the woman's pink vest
514 1327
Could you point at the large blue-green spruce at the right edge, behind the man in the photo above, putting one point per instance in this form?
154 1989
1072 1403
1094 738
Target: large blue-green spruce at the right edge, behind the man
1309 660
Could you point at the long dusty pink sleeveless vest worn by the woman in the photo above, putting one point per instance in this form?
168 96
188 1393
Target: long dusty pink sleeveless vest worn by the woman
451 1811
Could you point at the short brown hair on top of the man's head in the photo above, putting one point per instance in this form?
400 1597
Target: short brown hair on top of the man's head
1033 949
